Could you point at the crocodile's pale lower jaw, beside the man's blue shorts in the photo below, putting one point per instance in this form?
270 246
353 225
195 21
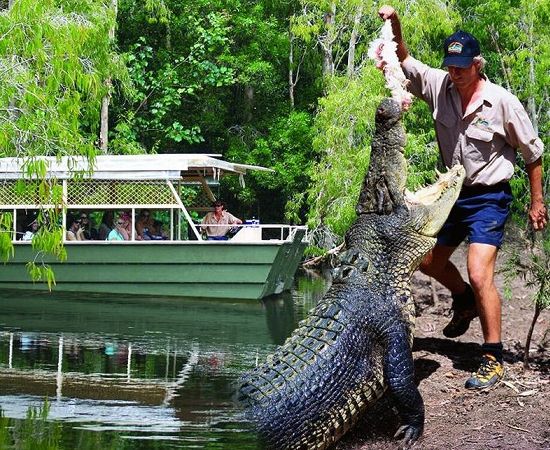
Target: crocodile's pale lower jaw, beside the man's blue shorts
431 205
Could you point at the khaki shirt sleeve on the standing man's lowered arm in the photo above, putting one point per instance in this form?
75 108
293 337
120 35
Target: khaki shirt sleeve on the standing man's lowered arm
521 134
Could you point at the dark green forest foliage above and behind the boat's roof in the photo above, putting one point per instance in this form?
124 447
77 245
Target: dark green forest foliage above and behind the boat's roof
214 77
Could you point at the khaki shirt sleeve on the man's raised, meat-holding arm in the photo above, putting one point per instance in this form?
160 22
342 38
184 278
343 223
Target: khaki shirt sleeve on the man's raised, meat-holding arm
425 81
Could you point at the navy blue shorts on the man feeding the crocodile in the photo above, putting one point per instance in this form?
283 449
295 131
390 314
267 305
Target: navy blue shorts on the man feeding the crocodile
478 215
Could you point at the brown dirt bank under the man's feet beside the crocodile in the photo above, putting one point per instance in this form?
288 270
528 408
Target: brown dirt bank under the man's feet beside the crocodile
515 414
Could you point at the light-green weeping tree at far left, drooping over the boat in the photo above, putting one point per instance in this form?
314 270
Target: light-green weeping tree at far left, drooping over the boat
54 55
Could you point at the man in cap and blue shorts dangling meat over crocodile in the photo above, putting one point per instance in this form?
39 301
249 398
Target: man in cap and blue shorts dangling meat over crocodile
479 125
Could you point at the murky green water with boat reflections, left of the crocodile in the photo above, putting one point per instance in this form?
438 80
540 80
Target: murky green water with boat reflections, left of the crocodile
138 373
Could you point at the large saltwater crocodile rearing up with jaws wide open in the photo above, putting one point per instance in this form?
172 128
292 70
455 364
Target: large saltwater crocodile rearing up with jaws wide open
357 341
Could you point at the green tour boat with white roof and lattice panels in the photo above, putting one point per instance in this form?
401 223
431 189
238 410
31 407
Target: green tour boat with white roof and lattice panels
257 261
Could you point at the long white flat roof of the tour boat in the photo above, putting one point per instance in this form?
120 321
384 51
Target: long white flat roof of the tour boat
124 167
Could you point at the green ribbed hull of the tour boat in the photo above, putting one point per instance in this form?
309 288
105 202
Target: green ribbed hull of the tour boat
182 269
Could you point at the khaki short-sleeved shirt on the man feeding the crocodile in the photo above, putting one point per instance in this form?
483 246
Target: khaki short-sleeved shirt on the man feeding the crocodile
485 140
